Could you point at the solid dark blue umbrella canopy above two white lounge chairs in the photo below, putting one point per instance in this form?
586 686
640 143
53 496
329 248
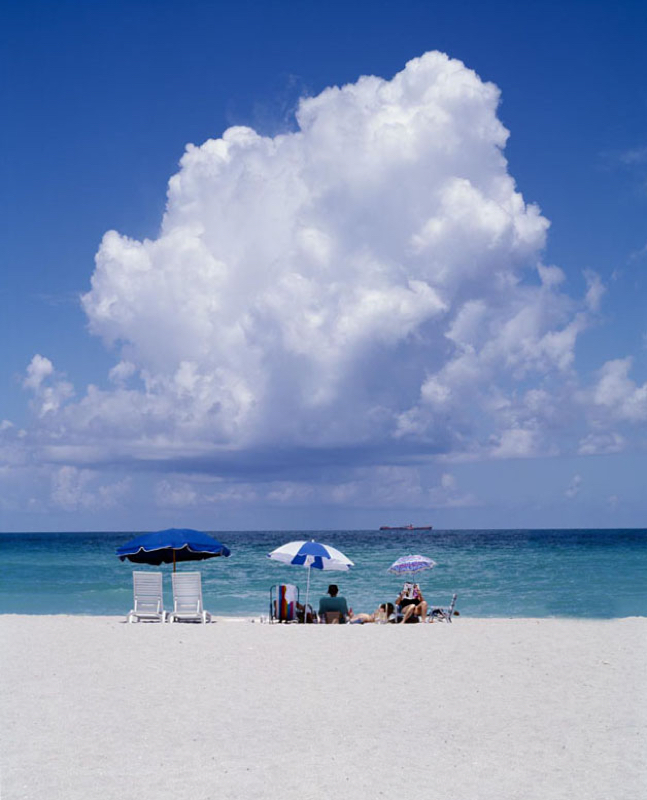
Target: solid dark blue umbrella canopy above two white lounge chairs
169 546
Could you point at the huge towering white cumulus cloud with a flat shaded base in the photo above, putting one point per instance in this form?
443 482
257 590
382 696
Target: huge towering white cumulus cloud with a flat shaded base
326 286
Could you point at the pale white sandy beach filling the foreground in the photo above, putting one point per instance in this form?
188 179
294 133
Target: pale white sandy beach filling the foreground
501 709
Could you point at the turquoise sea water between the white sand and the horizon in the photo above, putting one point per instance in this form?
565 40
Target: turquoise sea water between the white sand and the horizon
540 573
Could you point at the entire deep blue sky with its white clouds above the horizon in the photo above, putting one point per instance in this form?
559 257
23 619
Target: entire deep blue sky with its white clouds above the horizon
294 265
